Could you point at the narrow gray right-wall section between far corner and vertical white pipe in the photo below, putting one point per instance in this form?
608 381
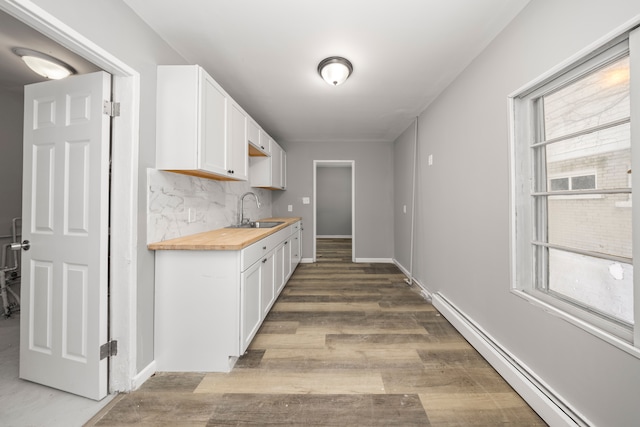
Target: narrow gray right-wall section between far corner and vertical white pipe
403 166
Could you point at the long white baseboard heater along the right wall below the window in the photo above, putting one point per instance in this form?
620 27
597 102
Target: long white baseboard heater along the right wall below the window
546 402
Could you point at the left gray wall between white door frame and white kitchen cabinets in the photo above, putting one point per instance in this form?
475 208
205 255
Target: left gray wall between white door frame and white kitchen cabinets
134 43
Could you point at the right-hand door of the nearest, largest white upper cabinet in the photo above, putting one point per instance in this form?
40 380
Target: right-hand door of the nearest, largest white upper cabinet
237 140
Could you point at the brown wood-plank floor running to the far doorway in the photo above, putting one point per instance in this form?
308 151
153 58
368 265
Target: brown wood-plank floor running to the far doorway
345 344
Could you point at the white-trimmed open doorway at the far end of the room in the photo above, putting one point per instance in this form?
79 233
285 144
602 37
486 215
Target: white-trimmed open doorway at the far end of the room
334 208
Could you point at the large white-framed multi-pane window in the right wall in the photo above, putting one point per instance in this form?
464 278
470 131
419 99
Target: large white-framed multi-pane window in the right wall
571 184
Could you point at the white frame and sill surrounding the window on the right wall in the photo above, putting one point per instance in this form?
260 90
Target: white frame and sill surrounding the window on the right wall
522 132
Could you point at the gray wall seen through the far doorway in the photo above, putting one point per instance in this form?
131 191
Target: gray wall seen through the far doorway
333 195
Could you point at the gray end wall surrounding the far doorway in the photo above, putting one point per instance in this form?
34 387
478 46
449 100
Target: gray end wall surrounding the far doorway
373 192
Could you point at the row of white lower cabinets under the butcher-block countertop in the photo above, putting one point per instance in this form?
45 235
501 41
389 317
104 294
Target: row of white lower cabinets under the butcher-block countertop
210 304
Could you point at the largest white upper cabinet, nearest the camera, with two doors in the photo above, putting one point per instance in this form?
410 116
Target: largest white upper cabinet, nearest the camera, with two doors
199 129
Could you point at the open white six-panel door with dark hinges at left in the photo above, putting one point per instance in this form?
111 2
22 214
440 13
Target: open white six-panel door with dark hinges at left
63 318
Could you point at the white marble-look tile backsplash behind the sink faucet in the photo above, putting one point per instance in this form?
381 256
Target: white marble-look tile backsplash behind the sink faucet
213 204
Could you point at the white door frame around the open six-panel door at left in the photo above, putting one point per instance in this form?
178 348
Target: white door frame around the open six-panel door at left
123 186
